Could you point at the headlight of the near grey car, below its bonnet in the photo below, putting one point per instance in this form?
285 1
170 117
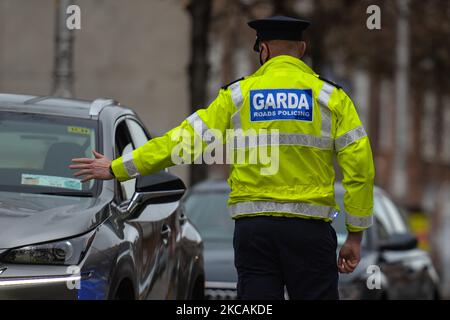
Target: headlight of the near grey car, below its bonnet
63 252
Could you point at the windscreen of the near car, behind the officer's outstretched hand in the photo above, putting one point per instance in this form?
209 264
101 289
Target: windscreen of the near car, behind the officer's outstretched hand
37 150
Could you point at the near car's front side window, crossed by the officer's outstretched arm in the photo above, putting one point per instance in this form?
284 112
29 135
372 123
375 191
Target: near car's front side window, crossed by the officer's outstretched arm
124 145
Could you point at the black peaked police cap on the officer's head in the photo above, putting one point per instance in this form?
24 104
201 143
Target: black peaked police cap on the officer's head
278 28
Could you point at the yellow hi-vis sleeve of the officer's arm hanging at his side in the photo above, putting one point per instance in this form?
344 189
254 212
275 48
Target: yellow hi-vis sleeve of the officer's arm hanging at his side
354 156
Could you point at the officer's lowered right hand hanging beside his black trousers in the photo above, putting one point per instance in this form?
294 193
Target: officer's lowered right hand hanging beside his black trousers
349 255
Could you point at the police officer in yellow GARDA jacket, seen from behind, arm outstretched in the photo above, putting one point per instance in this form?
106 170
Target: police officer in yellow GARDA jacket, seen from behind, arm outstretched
283 236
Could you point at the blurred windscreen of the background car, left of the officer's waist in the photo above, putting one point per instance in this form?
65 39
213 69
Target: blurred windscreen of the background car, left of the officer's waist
209 213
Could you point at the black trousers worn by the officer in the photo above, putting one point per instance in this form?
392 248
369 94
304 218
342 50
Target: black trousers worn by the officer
273 252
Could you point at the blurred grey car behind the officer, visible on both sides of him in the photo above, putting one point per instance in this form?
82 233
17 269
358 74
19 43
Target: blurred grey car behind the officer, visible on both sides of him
391 266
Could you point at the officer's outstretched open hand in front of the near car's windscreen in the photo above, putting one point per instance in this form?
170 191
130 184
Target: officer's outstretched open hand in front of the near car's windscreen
97 168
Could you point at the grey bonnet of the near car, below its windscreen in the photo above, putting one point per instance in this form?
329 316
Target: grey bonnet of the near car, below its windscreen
35 218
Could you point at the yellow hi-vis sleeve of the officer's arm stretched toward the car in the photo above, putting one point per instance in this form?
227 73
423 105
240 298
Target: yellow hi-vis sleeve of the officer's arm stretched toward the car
183 144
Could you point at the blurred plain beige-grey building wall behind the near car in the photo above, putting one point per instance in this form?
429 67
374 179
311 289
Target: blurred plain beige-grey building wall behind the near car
135 52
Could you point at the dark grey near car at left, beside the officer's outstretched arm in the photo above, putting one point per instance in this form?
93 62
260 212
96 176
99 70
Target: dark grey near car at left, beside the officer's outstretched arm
61 239
